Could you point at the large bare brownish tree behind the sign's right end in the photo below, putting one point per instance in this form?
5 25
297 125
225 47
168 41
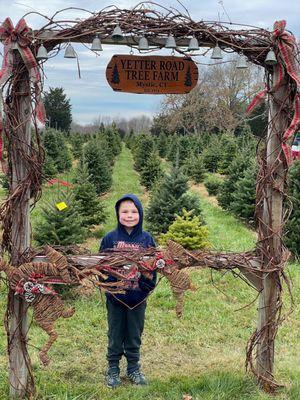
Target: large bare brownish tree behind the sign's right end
218 101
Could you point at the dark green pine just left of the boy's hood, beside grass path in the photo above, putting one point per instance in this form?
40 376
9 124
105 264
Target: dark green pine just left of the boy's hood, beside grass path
89 206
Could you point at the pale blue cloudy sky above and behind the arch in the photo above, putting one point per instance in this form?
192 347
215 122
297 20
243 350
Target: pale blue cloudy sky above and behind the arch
91 97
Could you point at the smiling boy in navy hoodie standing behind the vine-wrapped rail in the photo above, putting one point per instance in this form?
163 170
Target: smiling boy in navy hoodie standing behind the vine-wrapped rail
126 312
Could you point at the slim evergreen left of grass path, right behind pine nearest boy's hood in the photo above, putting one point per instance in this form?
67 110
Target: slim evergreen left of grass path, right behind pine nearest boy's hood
99 170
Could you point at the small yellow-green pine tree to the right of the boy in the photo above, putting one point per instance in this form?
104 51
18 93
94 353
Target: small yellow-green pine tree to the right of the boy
187 230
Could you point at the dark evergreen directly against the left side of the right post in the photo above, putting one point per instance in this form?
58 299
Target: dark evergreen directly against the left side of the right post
244 195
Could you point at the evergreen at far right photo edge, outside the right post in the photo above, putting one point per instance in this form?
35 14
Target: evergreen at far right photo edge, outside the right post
292 228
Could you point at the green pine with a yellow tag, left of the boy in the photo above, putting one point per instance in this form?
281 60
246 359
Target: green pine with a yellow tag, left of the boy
60 227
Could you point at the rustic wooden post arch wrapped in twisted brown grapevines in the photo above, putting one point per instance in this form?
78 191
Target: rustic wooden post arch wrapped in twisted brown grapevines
21 78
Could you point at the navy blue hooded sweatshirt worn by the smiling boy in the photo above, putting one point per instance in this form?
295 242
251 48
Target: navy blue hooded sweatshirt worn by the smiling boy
121 239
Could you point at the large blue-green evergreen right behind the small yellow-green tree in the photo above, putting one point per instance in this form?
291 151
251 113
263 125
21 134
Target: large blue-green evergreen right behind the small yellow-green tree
168 199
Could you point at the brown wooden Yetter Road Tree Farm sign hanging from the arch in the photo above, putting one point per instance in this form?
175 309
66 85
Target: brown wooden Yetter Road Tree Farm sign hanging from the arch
151 74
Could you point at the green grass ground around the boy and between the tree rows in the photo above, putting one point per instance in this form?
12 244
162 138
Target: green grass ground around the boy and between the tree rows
202 354
